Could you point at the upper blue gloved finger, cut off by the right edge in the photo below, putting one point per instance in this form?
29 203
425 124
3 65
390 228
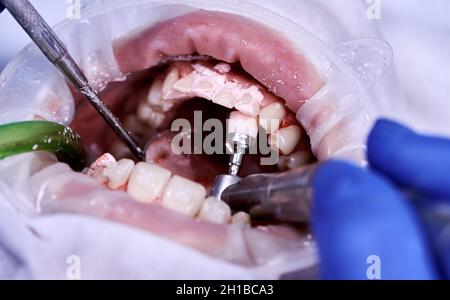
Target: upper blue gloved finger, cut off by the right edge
411 159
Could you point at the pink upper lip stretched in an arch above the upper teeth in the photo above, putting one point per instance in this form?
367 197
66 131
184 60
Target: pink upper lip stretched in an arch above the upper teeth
264 53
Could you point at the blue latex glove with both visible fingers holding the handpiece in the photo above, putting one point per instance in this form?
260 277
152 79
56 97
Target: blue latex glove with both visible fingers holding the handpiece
362 221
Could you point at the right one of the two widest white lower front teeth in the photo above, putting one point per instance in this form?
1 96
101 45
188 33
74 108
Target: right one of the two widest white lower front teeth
183 196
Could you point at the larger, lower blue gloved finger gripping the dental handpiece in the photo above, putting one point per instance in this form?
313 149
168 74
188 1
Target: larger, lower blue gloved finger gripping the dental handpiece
358 218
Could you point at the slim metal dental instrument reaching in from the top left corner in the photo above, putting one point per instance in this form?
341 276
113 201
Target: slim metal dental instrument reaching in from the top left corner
53 48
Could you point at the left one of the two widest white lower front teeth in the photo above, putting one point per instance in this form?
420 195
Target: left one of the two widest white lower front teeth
147 182
